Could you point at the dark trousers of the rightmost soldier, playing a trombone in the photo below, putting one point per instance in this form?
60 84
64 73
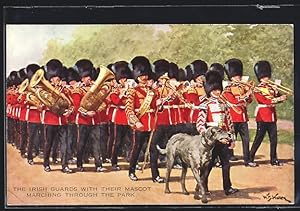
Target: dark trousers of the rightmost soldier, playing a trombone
262 128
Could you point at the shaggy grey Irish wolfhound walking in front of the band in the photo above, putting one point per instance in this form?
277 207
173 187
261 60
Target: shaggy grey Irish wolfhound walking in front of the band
194 152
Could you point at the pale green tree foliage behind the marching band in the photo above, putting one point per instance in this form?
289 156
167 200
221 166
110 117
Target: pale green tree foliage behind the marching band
182 44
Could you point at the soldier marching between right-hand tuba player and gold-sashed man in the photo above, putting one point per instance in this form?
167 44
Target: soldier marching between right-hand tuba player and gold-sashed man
122 130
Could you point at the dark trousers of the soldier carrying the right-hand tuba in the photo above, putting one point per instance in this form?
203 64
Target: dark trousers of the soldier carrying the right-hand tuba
92 133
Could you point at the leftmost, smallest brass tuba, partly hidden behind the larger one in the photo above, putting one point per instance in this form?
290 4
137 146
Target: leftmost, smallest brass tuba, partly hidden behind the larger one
31 98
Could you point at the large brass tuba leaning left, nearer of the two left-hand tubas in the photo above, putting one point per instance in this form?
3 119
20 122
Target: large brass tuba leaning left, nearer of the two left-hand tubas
56 101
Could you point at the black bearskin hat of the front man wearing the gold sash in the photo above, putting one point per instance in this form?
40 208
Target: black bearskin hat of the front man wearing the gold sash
140 65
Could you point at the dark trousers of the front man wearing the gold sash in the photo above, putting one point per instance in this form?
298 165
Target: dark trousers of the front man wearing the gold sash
139 139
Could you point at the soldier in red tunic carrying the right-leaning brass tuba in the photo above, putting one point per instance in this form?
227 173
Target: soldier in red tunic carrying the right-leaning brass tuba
88 129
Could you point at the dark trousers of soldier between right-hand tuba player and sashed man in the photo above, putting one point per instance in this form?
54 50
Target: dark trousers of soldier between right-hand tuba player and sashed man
121 132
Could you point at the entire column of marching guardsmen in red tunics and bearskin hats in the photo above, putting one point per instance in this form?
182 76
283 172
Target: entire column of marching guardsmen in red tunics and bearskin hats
145 105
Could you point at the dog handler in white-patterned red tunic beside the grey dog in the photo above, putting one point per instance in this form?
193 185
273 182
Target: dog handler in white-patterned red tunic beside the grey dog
216 113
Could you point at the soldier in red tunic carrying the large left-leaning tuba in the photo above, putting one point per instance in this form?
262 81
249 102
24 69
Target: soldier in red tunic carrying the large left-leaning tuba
55 124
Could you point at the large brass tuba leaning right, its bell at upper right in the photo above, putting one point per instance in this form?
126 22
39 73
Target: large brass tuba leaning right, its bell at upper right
98 91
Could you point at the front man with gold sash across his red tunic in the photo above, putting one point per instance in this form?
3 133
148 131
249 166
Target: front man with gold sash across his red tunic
140 110
